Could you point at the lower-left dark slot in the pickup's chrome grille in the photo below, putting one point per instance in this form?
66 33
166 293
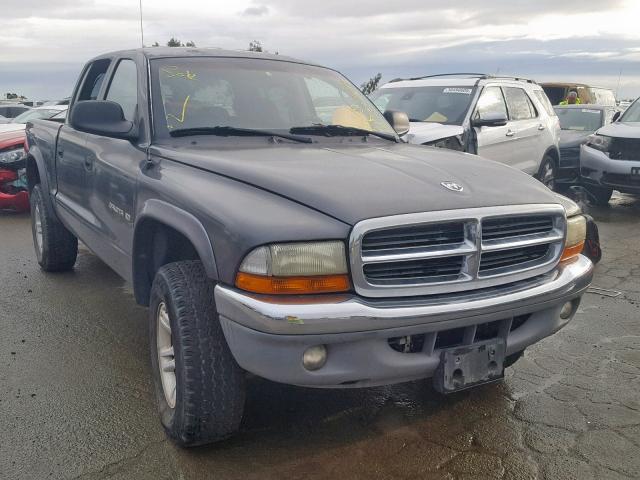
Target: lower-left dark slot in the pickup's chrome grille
433 269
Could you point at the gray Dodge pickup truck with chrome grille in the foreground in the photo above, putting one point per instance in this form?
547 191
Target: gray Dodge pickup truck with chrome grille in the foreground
274 222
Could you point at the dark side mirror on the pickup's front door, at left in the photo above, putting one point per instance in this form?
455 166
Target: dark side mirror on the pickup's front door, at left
101 117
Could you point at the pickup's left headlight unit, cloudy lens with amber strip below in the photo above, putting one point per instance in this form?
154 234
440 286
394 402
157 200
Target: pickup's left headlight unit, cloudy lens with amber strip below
295 268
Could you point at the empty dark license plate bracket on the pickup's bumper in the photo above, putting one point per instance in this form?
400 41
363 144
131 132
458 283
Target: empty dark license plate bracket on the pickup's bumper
467 366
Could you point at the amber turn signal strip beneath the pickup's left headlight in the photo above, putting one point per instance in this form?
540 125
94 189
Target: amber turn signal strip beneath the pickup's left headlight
292 285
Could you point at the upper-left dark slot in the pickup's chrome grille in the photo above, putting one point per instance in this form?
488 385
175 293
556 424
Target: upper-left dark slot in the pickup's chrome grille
416 236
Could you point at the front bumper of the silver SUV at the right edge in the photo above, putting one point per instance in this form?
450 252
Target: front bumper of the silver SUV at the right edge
596 168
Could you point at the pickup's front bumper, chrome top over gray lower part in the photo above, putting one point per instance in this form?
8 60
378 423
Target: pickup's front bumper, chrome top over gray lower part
366 339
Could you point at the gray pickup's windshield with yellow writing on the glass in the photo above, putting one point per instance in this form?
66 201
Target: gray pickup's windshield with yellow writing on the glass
246 93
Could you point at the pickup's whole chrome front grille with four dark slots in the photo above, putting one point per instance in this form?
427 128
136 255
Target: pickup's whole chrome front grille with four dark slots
455 250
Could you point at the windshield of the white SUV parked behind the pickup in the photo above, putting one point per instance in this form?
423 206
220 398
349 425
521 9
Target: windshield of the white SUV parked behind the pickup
447 105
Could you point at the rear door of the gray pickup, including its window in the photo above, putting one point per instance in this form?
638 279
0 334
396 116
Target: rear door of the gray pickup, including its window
72 155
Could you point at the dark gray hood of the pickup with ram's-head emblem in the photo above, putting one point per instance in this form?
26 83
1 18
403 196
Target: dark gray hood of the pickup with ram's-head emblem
352 183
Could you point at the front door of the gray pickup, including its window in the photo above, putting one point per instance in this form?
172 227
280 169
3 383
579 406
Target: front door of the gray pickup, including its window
114 165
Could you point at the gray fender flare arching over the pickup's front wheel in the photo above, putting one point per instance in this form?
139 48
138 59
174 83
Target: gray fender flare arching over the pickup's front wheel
183 222
